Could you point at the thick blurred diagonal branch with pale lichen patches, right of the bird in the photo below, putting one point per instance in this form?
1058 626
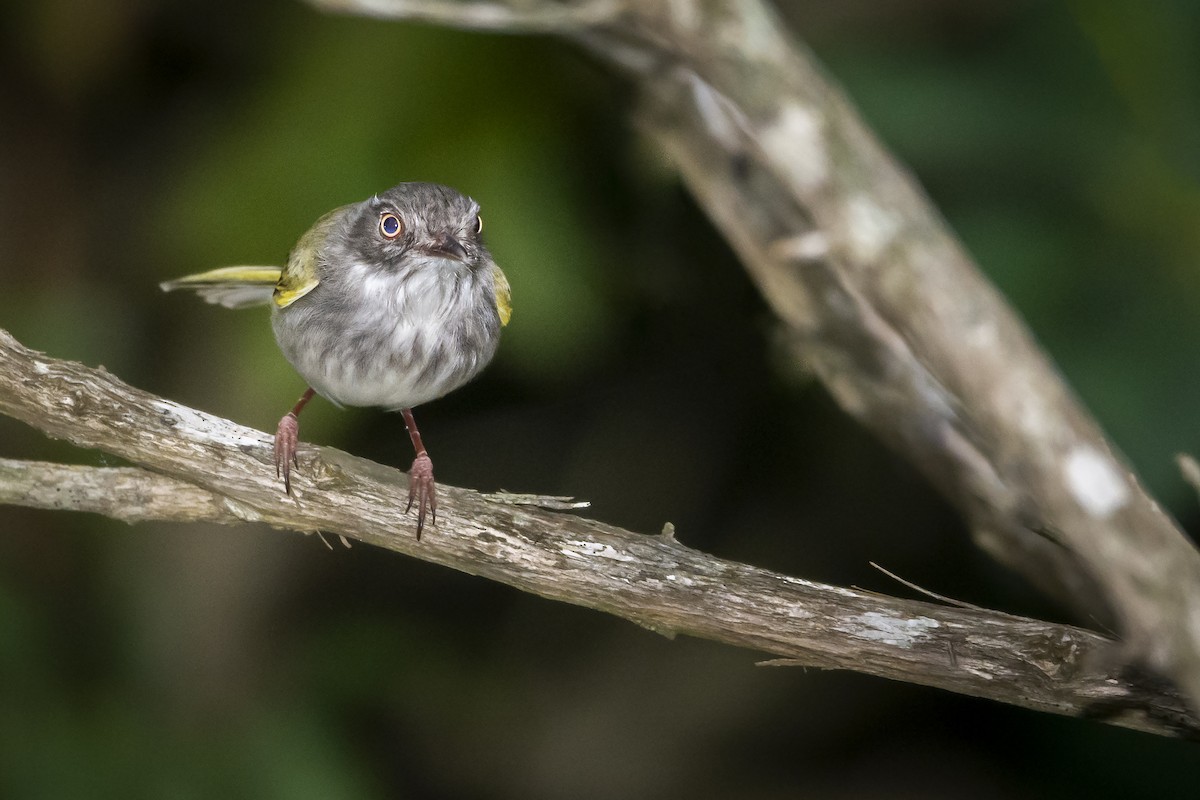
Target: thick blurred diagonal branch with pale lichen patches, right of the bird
883 303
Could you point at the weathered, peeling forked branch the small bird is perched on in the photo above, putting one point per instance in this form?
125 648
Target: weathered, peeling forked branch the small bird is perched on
193 466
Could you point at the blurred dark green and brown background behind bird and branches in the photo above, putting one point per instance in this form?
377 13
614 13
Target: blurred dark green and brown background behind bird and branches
147 140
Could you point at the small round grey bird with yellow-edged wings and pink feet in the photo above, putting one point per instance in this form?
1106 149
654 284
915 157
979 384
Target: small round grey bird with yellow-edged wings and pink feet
391 303
